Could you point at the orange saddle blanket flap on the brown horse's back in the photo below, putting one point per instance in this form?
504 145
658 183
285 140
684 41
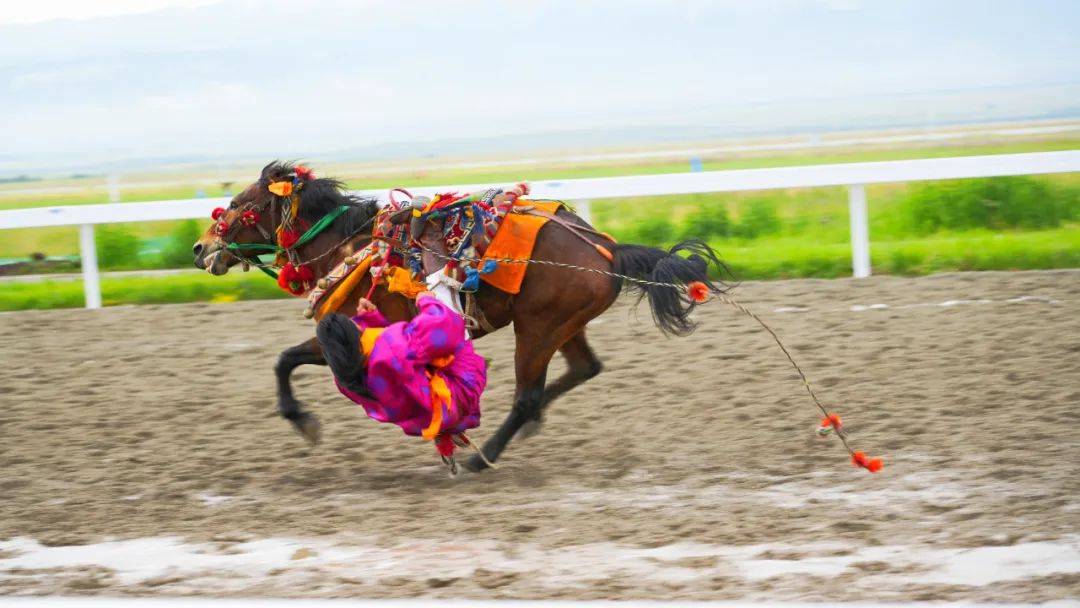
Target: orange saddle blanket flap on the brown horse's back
515 240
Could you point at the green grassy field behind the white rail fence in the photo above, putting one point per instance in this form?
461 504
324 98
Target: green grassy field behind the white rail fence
1028 223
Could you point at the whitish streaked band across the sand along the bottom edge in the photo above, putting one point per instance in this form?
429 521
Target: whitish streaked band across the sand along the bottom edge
210 568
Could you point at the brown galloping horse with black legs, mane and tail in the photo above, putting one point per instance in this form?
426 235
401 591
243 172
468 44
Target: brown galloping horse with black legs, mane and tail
549 315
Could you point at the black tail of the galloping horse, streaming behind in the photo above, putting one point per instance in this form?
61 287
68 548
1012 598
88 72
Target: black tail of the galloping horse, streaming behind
671 308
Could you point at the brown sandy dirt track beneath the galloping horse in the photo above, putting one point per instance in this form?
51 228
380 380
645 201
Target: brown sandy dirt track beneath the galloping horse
142 454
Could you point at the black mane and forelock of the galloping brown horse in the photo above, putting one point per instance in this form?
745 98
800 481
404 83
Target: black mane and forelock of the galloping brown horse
322 196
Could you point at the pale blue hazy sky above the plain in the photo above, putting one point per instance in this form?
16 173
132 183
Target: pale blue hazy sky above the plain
124 80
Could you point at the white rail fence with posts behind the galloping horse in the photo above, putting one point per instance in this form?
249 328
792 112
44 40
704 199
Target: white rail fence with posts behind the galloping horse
856 177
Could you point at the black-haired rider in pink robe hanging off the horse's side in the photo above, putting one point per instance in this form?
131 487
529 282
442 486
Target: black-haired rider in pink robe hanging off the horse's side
422 375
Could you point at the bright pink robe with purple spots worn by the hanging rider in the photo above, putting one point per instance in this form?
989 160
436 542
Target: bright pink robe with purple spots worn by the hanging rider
400 362
